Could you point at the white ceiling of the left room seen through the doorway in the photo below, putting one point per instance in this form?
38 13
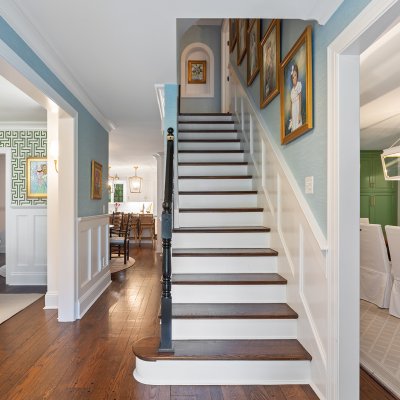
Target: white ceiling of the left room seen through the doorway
16 106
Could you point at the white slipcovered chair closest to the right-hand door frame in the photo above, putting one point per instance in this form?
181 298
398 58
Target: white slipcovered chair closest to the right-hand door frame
376 278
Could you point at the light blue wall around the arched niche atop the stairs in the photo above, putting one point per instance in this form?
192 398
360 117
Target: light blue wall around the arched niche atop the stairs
211 36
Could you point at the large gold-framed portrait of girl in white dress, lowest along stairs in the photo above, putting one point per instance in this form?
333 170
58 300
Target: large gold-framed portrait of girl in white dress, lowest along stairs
296 89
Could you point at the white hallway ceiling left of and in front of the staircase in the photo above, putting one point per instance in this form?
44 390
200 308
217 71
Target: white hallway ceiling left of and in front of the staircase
111 53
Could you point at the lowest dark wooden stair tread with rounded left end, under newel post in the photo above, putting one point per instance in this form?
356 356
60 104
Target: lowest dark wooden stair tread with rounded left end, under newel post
234 350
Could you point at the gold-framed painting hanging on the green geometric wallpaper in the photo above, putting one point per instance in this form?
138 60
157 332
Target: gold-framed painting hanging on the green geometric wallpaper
36 176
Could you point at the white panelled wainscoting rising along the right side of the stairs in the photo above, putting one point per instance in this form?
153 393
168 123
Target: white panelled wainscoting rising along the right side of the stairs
294 233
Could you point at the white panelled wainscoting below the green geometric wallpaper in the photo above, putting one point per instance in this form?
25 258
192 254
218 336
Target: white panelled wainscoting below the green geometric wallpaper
26 246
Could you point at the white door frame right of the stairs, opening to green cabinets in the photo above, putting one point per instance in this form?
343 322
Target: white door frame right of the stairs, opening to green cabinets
344 194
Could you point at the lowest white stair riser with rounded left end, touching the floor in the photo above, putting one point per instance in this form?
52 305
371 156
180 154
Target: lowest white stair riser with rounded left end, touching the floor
216 372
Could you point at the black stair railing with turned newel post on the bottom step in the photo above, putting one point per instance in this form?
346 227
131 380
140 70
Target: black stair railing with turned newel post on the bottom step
166 232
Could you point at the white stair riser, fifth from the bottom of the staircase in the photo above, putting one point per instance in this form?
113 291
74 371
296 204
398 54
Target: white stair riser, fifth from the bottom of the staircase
220 240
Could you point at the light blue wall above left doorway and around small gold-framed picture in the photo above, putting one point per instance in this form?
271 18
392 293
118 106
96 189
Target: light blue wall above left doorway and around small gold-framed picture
92 137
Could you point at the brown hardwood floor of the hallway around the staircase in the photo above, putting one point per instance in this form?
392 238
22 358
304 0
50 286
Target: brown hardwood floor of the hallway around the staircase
92 358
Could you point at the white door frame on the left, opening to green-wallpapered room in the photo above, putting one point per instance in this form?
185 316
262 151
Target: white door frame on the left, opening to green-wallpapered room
18 72
